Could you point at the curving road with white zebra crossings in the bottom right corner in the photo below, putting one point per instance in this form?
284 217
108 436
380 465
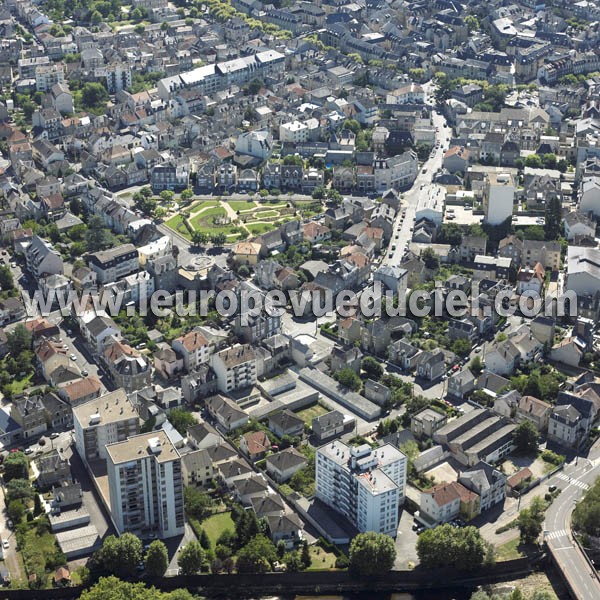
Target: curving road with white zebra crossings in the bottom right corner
578 571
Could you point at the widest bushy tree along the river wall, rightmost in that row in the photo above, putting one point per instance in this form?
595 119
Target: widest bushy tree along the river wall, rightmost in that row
456 548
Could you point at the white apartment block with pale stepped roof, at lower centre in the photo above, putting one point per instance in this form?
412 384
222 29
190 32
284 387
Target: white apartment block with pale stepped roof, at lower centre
366 485
